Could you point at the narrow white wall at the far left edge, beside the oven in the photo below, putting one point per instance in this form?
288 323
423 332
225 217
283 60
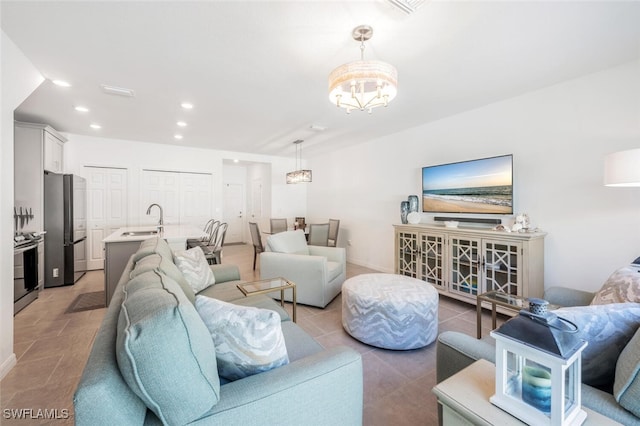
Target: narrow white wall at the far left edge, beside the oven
18 78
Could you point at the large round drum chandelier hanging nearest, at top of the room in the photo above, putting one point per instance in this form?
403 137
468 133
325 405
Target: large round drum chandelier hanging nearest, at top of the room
362 84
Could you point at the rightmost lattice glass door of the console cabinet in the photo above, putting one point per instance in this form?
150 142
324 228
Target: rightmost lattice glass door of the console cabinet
503 270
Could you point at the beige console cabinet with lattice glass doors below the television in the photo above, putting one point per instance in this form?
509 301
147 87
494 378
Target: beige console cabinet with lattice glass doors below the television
464 262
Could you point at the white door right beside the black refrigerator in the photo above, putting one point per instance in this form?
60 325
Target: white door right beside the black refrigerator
107 209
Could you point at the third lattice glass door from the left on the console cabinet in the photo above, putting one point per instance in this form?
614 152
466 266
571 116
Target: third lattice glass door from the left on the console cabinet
465 266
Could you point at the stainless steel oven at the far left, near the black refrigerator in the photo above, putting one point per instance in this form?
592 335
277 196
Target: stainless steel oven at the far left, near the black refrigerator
25 275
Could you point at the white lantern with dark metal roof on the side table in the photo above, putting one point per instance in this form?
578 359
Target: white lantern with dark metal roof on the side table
539 368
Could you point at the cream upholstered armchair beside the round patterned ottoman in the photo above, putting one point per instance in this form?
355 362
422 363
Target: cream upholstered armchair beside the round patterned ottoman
317 271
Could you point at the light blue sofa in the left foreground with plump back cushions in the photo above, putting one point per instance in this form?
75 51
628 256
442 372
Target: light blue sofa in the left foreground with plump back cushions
318 386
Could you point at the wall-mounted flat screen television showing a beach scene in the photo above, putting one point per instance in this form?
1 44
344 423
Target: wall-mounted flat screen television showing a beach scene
482 186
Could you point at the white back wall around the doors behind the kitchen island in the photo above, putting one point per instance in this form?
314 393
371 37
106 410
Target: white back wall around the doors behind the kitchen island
135 156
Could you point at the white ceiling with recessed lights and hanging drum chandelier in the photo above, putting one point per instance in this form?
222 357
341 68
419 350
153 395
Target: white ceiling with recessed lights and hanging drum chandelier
257 71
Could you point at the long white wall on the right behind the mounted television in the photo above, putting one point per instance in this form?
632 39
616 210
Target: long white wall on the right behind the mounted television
558 137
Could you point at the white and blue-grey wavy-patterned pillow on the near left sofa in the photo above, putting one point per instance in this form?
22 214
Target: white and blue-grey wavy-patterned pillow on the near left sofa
248 340
